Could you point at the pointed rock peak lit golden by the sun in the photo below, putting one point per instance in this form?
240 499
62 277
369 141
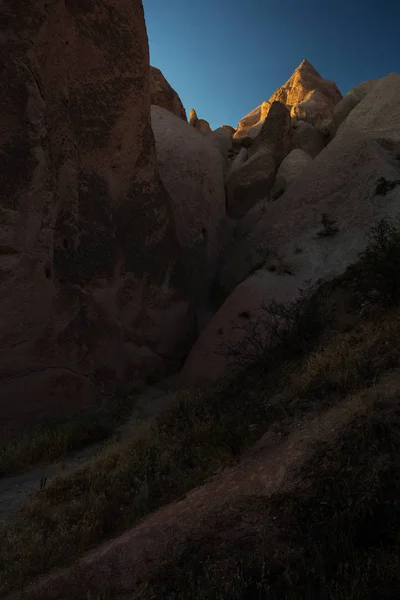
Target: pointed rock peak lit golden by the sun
308 96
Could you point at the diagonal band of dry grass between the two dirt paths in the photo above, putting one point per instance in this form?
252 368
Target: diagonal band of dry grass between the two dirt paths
195 437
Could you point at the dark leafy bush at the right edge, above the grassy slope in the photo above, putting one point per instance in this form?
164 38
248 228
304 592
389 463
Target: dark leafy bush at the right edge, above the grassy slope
376 276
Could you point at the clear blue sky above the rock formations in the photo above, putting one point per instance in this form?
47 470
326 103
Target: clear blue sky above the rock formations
224 57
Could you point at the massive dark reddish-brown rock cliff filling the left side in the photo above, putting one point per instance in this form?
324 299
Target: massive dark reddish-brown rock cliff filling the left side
90 280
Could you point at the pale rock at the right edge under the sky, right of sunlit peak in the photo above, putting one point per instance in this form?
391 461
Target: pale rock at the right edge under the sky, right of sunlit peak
378 113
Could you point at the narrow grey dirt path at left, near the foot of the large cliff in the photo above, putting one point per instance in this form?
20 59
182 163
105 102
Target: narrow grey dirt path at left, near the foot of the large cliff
14 490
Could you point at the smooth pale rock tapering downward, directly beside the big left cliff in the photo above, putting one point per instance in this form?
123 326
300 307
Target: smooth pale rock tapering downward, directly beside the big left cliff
191 170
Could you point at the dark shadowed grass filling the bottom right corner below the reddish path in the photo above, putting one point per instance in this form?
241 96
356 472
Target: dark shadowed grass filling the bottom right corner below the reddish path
336 536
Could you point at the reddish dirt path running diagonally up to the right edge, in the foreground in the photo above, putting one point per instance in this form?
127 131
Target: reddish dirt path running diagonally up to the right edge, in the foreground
269 467
